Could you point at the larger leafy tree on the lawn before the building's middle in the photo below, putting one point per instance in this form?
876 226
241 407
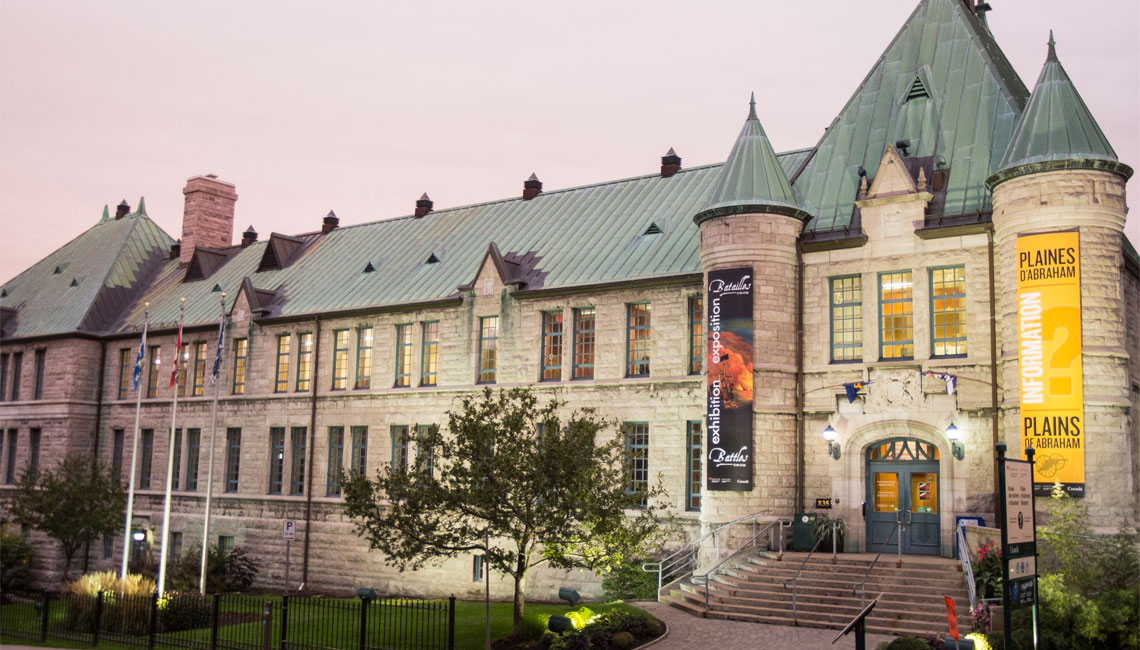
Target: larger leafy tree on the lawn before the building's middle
545 492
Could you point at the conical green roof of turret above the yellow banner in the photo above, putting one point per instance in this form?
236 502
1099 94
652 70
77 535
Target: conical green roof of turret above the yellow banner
1057 127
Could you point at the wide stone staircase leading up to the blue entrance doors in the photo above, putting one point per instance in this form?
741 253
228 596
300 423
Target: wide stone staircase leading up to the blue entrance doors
754 590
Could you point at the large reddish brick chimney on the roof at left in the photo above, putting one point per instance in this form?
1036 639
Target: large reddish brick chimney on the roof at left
208 217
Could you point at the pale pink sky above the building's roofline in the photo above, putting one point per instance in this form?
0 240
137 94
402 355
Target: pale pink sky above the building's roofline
361 108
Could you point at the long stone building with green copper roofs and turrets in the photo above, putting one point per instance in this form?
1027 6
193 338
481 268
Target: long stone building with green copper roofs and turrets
887 250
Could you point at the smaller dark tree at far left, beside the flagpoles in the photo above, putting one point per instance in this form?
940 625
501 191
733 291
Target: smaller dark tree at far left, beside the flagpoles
75 505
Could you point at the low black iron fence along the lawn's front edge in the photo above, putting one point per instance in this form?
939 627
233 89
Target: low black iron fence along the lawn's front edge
226 622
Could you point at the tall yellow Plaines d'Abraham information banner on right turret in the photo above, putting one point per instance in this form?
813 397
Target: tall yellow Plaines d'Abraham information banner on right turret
1051 375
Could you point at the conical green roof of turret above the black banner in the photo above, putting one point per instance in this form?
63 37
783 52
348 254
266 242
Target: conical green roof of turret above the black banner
752 180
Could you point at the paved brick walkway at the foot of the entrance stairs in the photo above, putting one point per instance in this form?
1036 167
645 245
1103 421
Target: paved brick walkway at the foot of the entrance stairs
688 632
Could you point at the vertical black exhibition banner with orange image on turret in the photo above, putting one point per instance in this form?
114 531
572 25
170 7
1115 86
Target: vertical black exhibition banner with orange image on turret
730 380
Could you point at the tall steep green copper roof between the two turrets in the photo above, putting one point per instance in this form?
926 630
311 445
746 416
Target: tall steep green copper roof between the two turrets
964 120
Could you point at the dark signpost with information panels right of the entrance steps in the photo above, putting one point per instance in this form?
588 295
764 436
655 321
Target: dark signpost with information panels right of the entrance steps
1019 539
